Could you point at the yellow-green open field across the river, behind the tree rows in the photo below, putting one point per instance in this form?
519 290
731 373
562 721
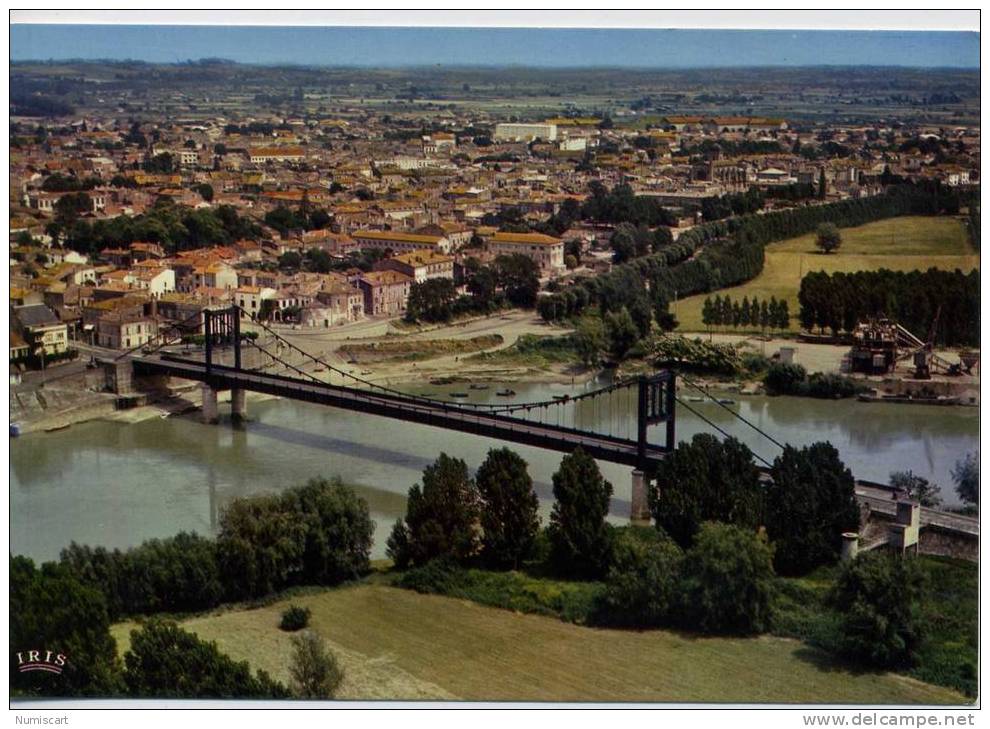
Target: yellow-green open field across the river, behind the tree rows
900 244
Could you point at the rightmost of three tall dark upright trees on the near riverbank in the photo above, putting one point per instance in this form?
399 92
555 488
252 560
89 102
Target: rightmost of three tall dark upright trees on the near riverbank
578 533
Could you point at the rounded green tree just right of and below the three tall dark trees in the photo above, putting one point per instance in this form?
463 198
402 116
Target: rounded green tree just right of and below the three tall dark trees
641 588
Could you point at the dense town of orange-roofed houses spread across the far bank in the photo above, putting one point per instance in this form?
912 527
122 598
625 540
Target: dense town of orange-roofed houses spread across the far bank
421 199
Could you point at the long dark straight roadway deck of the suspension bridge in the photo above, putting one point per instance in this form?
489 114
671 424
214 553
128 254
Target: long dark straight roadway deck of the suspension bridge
411 409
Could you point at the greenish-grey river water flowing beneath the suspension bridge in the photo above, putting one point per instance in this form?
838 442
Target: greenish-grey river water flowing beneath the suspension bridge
116 484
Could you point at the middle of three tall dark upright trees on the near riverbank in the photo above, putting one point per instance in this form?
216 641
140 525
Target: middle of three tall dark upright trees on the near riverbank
509 517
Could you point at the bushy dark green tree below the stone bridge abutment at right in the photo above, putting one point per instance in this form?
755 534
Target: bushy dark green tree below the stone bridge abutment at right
878 595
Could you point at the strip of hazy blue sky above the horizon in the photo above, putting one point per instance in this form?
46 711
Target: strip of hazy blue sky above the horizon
551 47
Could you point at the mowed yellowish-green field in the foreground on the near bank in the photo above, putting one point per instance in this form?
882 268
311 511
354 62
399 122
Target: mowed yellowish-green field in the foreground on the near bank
398 644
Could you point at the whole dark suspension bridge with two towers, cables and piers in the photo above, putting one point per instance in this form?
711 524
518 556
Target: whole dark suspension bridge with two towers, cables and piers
596 421
